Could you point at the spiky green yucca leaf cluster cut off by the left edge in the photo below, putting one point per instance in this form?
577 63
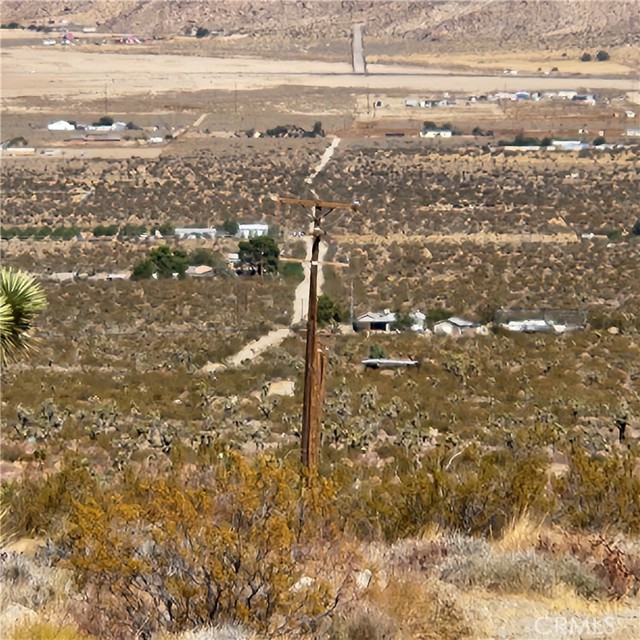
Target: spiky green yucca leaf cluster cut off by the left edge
21 300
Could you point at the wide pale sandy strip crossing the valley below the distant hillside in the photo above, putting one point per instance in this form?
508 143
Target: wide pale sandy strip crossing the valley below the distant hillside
61 74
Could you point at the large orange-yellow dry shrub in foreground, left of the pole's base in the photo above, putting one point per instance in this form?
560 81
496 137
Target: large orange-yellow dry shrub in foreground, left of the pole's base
229 546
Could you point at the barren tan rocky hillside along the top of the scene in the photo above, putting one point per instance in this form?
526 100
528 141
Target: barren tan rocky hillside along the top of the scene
476 24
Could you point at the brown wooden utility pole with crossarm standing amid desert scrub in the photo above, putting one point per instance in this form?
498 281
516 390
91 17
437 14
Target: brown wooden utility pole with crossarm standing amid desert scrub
315 361
